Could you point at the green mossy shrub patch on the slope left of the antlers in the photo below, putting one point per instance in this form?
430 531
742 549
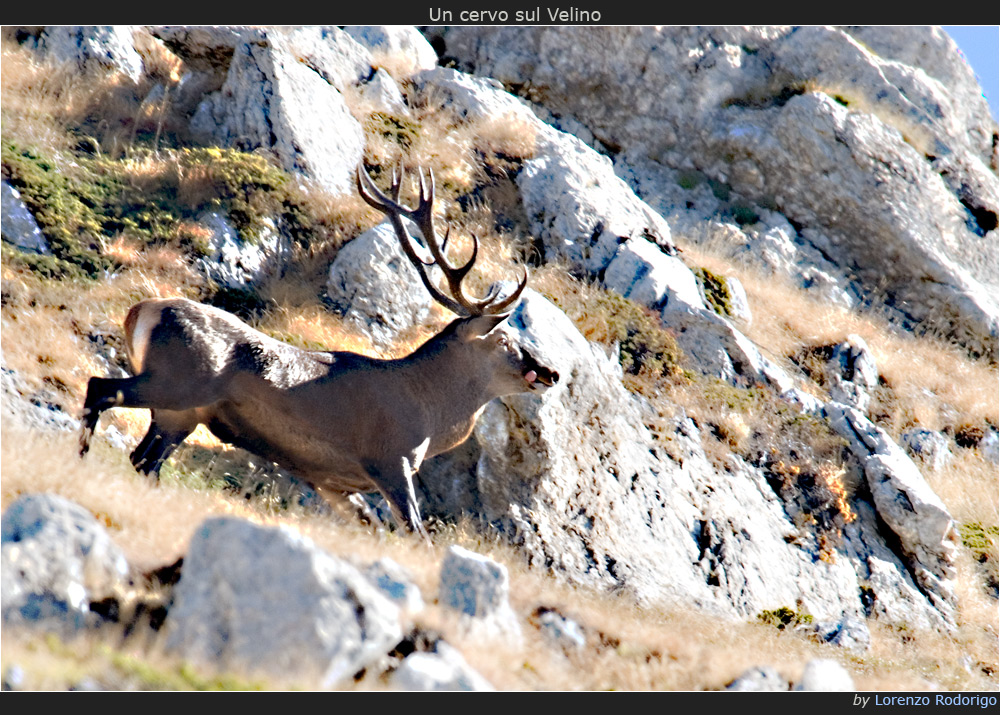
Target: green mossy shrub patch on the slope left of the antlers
82 202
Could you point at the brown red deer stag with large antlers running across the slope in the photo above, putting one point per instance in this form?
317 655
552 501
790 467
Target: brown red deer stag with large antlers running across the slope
341 421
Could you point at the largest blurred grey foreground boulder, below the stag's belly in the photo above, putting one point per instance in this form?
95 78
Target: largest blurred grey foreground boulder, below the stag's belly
267 600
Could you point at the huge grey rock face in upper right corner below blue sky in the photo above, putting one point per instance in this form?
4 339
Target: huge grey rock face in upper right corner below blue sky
809 122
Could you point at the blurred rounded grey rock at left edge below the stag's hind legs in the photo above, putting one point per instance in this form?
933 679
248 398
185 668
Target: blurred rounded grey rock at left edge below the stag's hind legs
56 558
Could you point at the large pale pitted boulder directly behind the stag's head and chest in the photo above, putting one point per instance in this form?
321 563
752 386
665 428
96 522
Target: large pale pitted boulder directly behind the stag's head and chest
592 485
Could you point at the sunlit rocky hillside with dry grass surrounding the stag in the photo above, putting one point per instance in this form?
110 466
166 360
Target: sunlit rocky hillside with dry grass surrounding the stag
764 260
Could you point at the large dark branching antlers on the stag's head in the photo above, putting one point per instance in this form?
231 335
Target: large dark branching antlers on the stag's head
423 216
